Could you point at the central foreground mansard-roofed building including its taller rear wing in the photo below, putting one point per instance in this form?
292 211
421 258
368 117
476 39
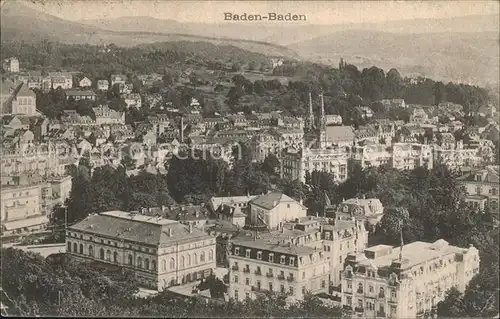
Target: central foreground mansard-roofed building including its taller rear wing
258 261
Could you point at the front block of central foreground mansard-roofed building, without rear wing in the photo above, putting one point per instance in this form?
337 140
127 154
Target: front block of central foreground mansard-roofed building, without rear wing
260 265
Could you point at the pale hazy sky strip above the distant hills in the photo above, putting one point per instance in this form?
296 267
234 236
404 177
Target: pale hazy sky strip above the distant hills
317 12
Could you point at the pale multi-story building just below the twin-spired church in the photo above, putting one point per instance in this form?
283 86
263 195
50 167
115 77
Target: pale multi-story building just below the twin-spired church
296 164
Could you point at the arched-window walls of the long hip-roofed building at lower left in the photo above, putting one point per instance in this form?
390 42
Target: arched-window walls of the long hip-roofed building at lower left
155 267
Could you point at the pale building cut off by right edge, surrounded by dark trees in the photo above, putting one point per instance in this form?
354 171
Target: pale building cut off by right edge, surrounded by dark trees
481 187
